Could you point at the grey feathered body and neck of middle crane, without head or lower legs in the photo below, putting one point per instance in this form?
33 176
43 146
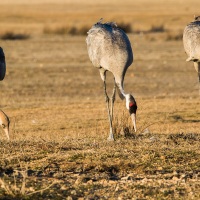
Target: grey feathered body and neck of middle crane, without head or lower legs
109 49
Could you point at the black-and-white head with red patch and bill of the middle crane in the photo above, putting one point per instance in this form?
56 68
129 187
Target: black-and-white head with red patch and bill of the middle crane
131 105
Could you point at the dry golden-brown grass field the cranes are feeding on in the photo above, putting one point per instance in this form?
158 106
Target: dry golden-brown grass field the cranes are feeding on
54 98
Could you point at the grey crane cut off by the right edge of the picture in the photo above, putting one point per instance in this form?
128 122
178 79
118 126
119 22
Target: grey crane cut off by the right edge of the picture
191 42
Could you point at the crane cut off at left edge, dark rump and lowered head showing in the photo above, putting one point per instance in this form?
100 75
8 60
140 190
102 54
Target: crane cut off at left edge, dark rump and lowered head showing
4 120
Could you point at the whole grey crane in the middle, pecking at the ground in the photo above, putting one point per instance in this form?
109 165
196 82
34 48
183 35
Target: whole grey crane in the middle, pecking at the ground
109 49
